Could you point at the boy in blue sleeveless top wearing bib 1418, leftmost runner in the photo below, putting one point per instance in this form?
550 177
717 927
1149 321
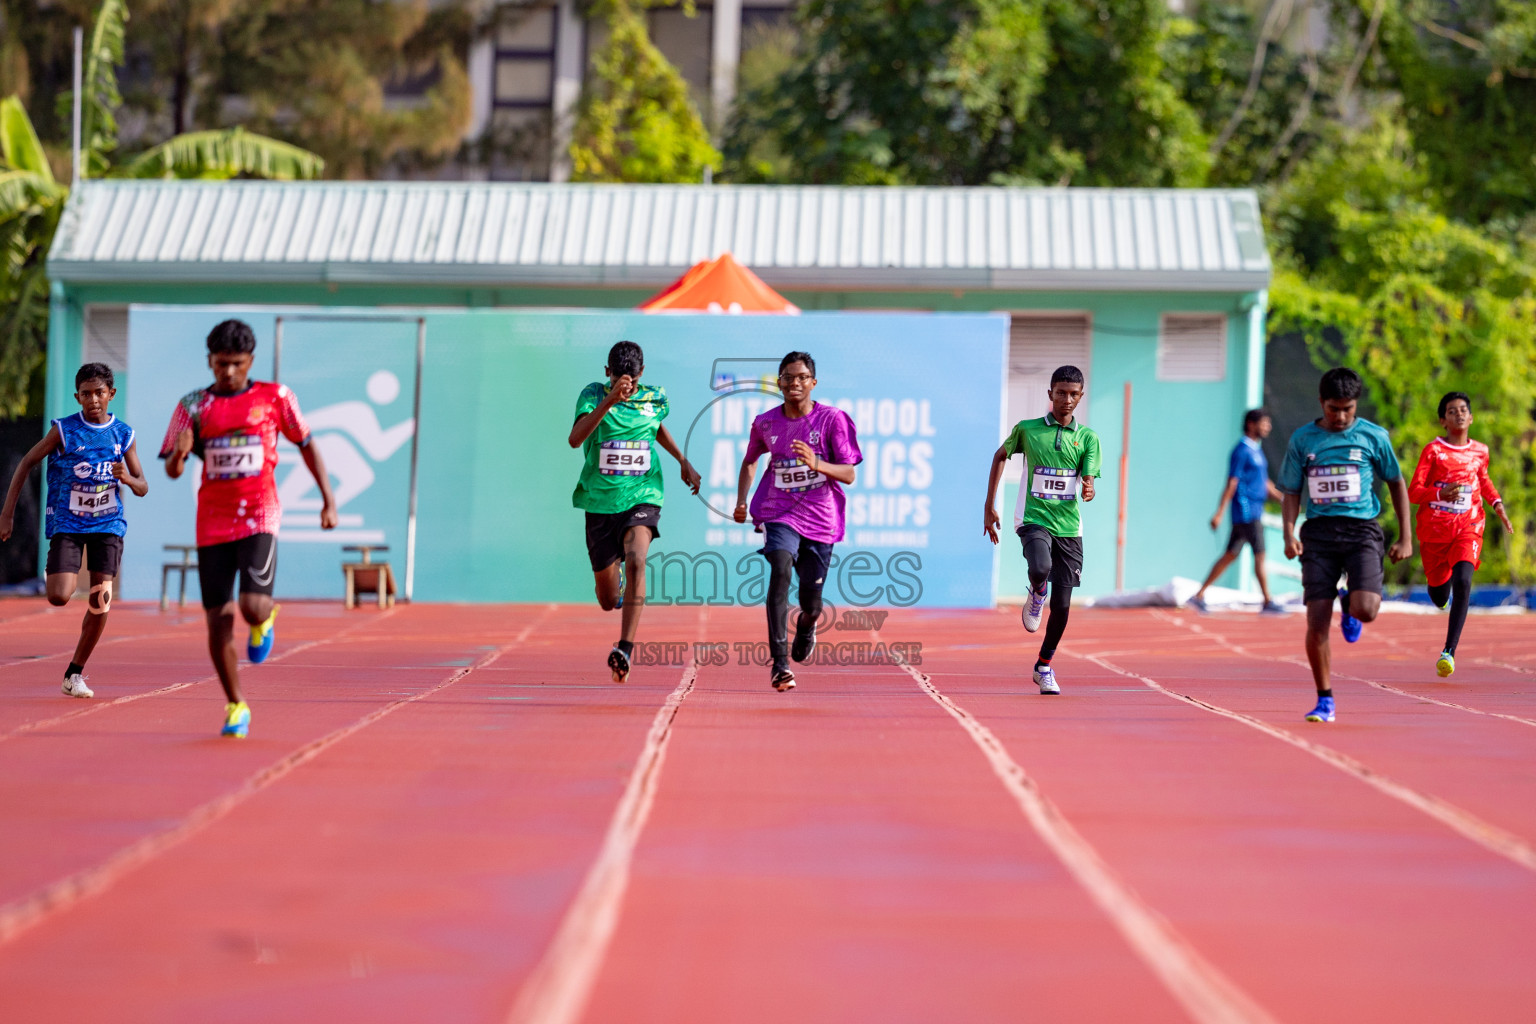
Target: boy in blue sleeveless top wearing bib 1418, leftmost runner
91 457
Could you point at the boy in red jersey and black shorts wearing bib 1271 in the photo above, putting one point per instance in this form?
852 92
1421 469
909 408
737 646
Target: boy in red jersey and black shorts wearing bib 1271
234 429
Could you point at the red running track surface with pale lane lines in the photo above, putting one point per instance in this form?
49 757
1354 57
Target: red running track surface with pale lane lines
451 814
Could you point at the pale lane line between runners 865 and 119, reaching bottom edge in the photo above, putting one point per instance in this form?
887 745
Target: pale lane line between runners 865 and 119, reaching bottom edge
1197 985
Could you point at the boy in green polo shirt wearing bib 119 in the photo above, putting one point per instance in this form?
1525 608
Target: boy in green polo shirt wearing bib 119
1061 455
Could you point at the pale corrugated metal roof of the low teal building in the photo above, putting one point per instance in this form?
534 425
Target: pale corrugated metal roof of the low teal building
495 234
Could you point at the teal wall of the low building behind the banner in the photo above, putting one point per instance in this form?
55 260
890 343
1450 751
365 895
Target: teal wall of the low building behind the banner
1182 432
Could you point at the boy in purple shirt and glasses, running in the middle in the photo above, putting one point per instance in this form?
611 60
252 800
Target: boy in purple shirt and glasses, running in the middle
799 506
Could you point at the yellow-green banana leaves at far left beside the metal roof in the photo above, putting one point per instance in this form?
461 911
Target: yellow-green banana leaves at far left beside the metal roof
33 200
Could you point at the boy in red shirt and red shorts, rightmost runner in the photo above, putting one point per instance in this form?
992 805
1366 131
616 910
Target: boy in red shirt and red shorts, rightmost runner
1451 486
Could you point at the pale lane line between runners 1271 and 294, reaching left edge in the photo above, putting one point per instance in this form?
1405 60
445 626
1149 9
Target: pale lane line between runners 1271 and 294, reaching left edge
51 900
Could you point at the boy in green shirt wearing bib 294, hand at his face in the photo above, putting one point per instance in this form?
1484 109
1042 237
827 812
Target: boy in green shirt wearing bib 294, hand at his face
618 426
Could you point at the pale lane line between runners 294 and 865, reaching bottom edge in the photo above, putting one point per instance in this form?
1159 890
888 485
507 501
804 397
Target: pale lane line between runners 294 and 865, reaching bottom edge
560 988
